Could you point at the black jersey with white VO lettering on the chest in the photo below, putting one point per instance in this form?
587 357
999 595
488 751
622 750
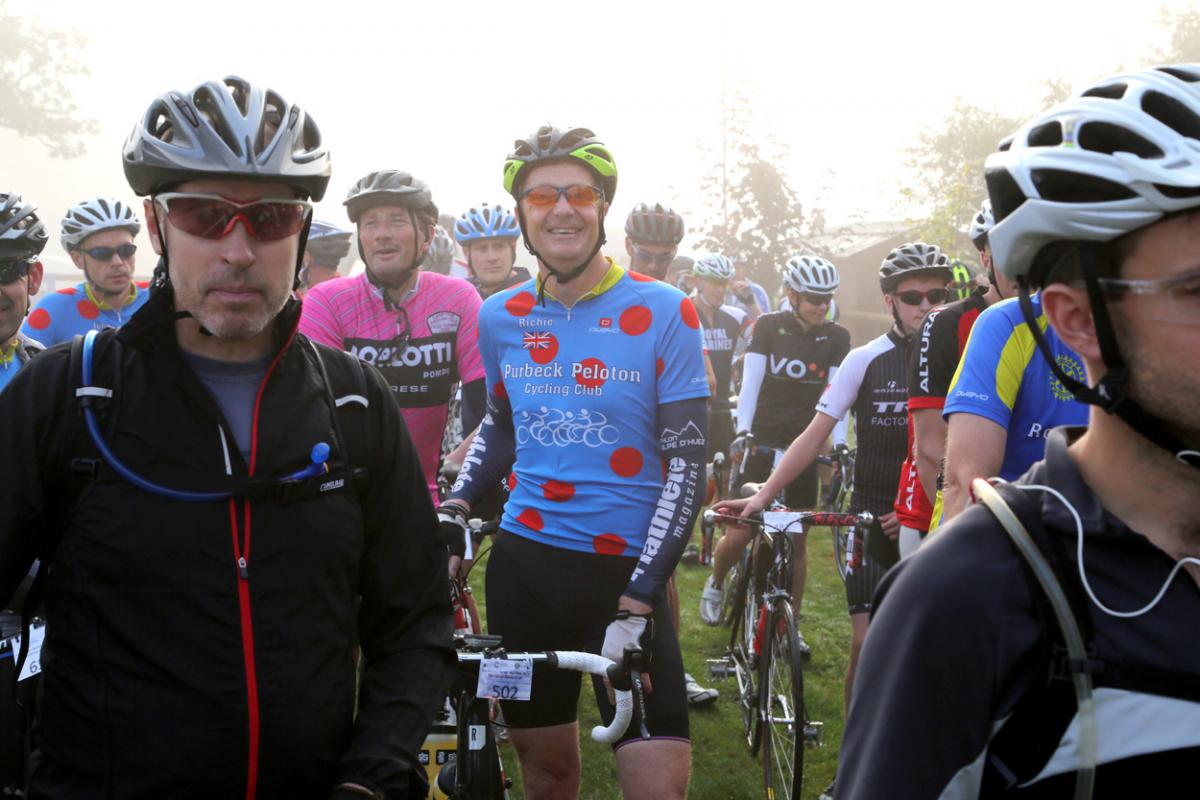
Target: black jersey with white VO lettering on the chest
795 368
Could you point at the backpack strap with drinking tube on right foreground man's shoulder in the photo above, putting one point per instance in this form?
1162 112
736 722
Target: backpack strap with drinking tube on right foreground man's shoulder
1028 739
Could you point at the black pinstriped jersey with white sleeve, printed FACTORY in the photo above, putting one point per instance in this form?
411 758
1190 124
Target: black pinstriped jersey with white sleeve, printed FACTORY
873 383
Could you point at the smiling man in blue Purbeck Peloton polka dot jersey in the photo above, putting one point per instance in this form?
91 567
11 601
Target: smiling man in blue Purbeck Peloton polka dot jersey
596 380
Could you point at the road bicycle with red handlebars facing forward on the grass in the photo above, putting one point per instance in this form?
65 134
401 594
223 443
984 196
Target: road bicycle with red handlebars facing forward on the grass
765 648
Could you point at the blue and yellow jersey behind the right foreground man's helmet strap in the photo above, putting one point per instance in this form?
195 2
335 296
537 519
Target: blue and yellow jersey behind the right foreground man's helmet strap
1003 377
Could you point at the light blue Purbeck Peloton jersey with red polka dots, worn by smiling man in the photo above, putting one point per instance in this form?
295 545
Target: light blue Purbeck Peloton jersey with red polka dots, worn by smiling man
585 384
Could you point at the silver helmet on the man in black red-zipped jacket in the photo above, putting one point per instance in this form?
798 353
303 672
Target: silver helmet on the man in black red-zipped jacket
226 129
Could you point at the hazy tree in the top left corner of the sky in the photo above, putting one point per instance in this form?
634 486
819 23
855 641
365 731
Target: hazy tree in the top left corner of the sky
35 74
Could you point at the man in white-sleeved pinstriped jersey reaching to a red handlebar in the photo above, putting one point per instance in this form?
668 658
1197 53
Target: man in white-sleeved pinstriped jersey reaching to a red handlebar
873 384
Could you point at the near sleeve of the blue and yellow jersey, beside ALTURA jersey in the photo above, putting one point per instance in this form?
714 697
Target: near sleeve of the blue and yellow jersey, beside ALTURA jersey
989 375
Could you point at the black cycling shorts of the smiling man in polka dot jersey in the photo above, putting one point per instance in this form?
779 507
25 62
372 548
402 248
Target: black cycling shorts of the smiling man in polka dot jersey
543 598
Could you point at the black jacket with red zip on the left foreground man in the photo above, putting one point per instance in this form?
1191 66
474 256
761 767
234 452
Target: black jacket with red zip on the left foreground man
170 670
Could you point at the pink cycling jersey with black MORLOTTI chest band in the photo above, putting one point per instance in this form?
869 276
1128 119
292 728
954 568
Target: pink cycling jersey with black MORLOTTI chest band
422 358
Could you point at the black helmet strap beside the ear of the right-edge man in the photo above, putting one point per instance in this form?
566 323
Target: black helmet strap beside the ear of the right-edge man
1112 393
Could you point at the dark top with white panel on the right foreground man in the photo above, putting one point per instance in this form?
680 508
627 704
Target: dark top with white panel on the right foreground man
962 651
